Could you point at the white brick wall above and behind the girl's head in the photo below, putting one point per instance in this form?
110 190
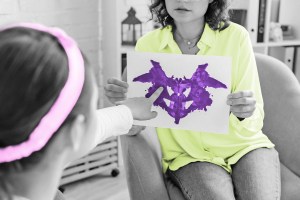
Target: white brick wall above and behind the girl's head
79 18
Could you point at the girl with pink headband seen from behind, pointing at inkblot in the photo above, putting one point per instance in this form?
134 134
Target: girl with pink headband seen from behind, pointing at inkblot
48 113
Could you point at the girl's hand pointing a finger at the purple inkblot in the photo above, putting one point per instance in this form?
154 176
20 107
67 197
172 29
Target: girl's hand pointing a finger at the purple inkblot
141 107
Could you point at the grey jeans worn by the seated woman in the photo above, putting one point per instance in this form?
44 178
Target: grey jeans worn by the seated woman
256 176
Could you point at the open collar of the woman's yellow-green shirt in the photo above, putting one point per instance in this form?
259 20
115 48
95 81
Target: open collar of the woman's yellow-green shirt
208 37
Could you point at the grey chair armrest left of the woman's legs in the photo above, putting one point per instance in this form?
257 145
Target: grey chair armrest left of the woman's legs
141 155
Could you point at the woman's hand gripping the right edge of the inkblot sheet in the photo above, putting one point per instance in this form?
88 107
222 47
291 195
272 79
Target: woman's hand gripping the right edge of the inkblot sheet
242 104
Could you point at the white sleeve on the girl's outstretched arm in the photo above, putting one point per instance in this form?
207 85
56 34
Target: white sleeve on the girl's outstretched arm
113 121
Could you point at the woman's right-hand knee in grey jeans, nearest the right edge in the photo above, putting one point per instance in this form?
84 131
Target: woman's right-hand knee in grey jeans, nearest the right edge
257 175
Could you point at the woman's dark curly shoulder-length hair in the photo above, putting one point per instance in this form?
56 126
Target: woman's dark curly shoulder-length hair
216 15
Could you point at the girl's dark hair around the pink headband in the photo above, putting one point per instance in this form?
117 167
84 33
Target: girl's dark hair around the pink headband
33 70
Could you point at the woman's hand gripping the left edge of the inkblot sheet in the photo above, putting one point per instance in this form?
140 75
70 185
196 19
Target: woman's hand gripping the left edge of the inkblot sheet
115 90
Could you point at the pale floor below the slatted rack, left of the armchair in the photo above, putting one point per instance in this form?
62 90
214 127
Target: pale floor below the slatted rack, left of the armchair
99 187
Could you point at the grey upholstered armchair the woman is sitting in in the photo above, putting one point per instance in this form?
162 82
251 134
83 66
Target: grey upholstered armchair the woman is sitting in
281 93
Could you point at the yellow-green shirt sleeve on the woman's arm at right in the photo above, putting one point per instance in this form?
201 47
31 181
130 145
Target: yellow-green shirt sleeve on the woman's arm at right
248 79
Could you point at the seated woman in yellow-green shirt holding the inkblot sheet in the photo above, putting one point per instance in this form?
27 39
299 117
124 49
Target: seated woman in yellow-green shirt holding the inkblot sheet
242 164
